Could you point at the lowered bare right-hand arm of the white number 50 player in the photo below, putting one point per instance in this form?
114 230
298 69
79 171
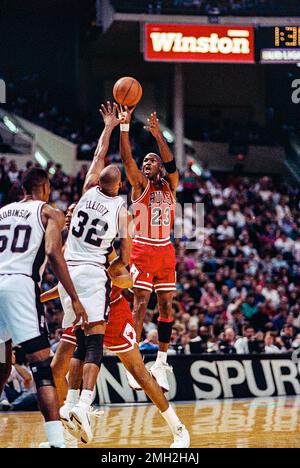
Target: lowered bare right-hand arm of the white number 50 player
55 222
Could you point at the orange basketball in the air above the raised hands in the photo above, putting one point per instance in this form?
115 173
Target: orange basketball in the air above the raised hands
127 91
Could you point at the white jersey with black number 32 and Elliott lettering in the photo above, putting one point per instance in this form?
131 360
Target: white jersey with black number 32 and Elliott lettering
94 227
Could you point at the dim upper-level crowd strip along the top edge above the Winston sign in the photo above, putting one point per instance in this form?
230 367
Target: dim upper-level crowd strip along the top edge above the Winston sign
210 7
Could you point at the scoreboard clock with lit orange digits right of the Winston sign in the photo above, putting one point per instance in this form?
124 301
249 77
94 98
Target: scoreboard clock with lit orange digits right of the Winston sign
278 44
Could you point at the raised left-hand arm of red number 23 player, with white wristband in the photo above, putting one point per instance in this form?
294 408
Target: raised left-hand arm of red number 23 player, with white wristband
136 178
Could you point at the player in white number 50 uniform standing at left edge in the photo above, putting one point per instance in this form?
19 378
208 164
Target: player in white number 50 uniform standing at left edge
30 231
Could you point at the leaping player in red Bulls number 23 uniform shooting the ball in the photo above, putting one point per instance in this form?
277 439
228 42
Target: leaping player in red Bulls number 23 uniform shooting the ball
153 260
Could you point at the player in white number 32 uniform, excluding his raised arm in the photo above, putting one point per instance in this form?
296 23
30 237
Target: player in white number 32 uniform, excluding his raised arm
98 218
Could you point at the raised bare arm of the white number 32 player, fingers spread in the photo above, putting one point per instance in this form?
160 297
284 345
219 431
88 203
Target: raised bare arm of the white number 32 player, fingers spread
109 115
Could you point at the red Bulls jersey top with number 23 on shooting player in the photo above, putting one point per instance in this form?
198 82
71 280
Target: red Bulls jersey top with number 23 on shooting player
154 213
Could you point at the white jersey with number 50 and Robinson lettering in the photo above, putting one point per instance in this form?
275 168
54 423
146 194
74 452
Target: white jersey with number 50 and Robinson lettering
22 240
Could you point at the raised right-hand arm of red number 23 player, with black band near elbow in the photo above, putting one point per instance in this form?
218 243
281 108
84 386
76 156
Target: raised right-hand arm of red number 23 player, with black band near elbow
165 152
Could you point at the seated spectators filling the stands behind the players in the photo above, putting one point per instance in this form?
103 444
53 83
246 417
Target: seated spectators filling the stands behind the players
238 290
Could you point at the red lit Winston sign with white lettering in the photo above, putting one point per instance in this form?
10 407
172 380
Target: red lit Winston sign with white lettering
193 43
